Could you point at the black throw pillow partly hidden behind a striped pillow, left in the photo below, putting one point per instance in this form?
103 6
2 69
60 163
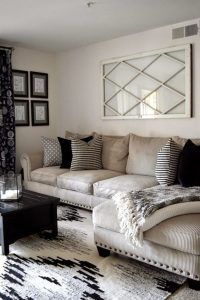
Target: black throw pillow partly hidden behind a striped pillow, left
66 151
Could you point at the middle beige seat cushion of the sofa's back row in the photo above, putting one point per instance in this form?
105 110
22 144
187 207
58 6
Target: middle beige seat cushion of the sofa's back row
82 181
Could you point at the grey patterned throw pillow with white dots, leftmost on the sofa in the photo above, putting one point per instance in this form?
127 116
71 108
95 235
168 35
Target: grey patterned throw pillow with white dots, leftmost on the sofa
52 152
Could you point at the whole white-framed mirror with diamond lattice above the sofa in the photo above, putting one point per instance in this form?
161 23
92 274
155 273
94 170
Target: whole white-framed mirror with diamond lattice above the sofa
154 84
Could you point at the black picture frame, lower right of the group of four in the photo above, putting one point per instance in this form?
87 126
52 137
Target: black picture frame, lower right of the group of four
40 113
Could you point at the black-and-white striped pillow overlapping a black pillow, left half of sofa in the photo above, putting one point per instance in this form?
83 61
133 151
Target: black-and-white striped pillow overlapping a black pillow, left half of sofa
86 156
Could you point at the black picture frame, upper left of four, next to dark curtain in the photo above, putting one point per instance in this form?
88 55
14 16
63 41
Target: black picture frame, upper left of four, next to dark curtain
20 83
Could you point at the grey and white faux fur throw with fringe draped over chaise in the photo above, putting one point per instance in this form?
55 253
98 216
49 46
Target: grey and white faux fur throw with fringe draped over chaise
135 207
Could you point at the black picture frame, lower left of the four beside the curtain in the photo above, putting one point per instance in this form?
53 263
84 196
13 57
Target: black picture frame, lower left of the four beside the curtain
22 112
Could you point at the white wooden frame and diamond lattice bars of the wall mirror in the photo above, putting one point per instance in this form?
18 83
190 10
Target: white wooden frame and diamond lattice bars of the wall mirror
185 97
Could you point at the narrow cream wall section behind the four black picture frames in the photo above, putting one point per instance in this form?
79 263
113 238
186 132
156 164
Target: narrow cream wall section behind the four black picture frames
28 138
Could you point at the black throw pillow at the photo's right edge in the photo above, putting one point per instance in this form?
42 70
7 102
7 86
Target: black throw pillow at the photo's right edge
189 165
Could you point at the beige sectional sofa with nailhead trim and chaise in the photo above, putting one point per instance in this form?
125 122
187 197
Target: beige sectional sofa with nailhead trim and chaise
173 244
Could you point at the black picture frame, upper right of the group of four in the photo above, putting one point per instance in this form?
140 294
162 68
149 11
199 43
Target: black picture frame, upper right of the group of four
39 84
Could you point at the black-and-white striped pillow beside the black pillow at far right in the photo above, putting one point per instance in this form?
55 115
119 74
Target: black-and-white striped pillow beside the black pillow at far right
167 163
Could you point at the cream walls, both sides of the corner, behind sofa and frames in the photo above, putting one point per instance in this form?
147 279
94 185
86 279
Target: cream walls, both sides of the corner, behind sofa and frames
75 90
